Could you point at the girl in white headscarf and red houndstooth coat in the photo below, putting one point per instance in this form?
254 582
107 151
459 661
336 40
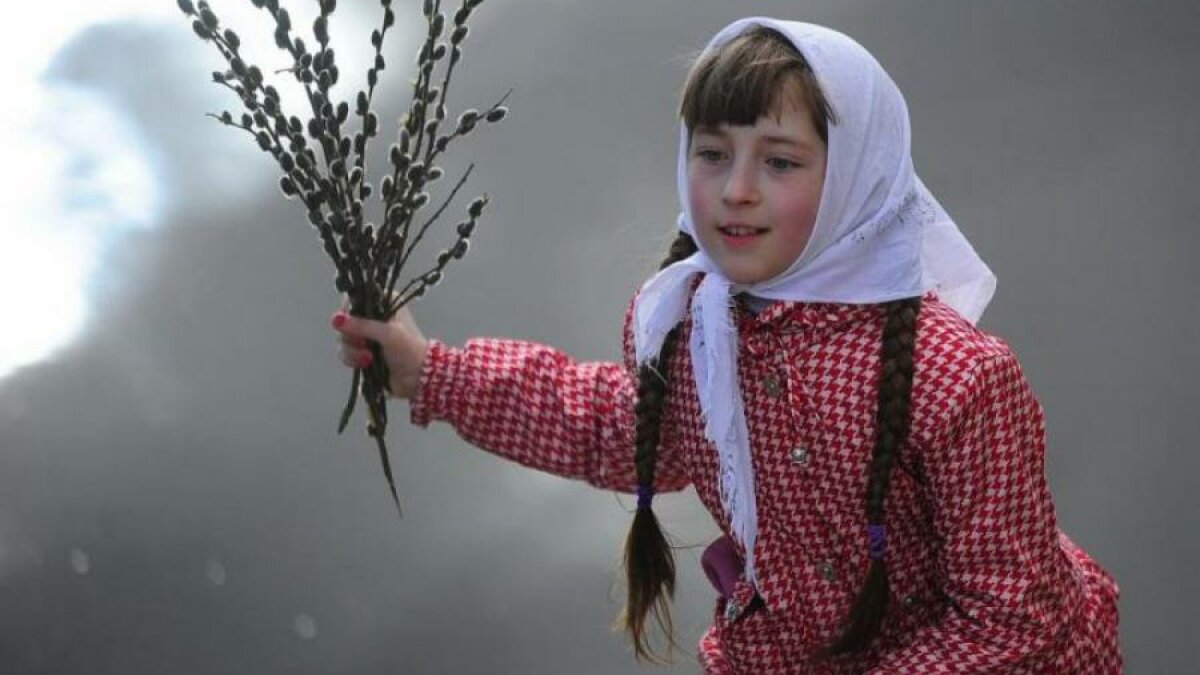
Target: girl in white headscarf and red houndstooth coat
807 360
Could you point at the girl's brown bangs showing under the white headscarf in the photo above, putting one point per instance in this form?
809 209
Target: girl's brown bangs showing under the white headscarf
751 77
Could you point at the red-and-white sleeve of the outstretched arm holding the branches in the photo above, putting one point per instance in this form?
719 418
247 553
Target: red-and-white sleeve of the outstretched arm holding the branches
537 407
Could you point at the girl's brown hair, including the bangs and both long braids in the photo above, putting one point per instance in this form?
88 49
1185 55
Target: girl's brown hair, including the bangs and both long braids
737 83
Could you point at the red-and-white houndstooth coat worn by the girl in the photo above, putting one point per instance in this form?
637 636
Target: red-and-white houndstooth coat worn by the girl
982 581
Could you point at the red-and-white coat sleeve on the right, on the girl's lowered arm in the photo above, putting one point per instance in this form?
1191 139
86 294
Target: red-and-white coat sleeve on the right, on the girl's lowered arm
1000 565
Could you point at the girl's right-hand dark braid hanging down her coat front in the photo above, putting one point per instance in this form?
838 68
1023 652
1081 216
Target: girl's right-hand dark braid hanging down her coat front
892 428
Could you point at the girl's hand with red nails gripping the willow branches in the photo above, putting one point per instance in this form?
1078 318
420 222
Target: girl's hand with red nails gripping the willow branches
400 342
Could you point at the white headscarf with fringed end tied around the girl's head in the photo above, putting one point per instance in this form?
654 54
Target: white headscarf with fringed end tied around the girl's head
879 236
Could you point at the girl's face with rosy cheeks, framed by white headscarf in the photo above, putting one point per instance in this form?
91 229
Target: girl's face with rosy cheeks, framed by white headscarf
754 192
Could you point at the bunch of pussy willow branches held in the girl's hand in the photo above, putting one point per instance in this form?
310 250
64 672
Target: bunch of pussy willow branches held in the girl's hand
325 168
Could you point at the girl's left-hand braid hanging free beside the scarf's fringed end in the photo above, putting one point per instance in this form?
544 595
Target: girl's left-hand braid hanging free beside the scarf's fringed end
650 565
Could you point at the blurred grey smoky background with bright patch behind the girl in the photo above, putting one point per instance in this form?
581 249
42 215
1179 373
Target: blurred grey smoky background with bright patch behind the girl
173 495
